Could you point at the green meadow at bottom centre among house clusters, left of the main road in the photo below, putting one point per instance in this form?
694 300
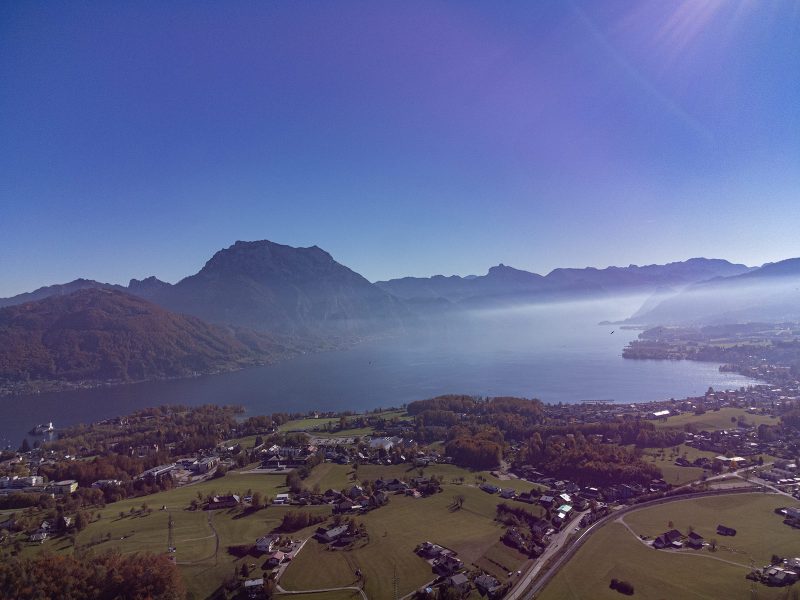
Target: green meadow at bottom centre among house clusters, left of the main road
396 529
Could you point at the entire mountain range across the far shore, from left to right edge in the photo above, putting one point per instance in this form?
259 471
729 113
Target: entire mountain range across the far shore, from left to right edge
260 301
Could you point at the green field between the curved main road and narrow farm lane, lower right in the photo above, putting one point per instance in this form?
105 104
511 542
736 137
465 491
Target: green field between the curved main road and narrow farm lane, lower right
760 532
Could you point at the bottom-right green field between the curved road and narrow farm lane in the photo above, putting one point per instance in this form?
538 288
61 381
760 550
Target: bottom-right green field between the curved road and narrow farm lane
613 552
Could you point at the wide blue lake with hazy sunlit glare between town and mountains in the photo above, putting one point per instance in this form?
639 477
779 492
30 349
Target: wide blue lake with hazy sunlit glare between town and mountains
557 353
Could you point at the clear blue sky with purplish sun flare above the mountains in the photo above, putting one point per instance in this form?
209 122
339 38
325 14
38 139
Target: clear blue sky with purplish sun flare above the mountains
137 138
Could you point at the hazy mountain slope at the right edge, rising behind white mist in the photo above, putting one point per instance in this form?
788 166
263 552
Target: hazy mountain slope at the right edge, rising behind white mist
770 293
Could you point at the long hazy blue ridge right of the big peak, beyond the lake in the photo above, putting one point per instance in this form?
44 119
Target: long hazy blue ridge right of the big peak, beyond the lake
503 284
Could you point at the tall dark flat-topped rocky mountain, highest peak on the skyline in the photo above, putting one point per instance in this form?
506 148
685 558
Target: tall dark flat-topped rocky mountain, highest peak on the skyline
281 289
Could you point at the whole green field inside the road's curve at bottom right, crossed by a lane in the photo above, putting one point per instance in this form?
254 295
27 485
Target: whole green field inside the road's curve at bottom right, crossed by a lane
613 552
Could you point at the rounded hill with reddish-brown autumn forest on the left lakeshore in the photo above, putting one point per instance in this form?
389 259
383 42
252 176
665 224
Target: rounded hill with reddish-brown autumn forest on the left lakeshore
104 334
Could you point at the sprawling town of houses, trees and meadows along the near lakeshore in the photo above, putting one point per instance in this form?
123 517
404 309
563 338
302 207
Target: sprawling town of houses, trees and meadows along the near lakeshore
439 448
